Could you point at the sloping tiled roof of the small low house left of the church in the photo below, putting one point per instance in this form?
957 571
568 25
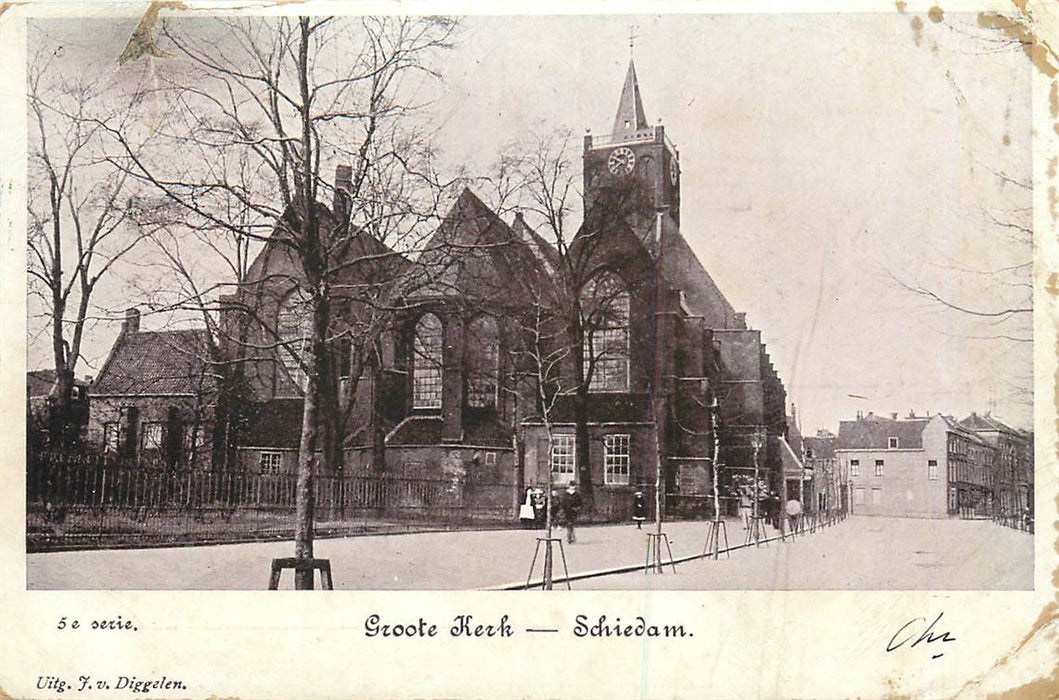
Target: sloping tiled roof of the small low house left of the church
156 363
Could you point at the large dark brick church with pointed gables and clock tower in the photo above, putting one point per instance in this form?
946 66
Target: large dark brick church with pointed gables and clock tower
667 375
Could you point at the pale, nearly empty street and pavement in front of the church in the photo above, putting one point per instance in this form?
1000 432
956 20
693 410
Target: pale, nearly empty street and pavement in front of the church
860 553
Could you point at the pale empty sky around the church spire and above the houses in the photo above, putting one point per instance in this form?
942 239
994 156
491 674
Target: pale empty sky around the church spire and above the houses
824 158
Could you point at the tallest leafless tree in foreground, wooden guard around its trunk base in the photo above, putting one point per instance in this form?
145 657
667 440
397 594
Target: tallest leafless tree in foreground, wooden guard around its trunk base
283 101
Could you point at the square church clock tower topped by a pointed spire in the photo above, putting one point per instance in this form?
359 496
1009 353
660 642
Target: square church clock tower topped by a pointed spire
636 155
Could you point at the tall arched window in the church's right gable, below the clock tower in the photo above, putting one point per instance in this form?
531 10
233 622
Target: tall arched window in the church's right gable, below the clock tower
605 302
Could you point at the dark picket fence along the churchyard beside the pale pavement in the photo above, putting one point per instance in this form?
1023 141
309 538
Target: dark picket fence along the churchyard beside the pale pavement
85 500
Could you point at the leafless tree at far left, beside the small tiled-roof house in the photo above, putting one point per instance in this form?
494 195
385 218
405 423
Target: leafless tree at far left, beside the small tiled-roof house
82 212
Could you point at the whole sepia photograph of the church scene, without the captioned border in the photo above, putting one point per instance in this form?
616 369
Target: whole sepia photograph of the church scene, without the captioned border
554 302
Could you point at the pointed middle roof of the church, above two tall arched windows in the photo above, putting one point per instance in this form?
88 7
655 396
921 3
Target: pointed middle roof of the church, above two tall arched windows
474 255
